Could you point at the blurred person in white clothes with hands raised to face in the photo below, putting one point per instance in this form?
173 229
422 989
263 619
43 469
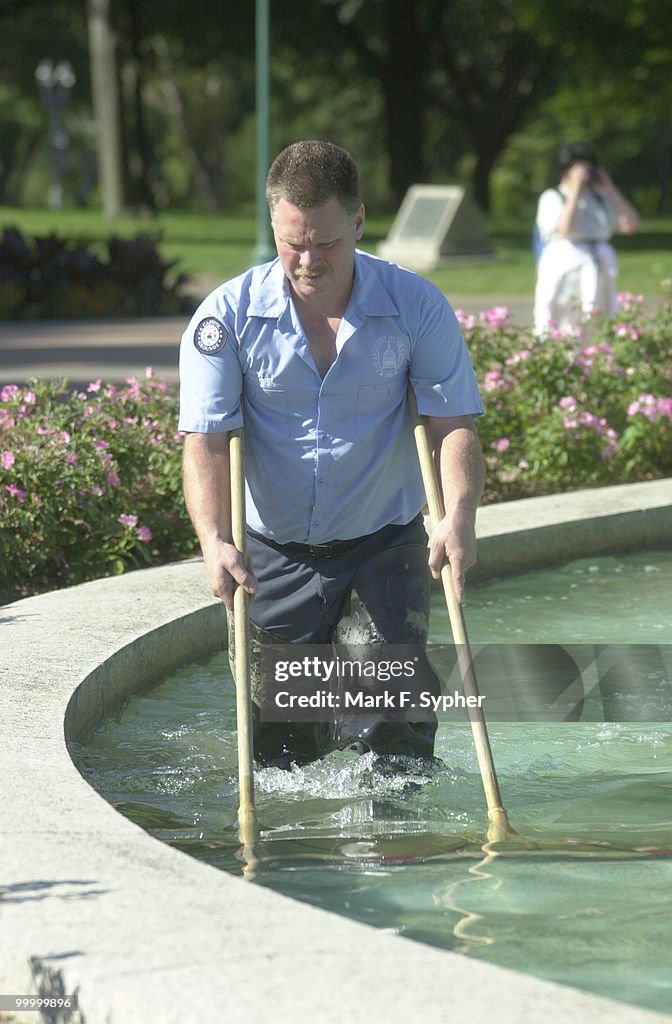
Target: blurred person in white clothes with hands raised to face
577 269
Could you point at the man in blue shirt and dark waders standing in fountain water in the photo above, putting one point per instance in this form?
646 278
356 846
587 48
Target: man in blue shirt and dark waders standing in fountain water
314 353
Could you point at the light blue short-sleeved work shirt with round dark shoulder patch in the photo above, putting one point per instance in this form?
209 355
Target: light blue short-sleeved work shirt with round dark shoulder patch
328 459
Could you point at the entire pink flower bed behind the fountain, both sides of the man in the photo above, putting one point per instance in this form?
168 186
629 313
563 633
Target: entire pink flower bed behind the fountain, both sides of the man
91 483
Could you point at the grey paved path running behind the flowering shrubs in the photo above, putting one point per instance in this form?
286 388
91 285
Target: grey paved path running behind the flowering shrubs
86 351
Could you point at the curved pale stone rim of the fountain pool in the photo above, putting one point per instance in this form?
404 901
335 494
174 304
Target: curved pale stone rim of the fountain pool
91 904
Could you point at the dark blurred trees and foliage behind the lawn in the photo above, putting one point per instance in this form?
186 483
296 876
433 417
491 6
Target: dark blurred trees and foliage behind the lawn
479 93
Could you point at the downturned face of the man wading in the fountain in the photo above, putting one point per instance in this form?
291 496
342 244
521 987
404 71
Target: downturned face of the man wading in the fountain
317 251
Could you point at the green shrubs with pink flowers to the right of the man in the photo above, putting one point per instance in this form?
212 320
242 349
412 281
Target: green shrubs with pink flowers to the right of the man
579 410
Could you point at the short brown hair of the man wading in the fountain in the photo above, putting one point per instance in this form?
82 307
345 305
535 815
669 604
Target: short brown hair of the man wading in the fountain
309 175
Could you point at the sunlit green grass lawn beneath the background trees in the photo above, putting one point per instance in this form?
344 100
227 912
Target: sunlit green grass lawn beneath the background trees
216 247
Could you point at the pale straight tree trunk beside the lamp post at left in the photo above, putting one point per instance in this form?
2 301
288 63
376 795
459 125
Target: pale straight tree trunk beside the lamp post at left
106 106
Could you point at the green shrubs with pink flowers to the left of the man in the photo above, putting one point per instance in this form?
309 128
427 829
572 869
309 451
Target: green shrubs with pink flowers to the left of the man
90 483
